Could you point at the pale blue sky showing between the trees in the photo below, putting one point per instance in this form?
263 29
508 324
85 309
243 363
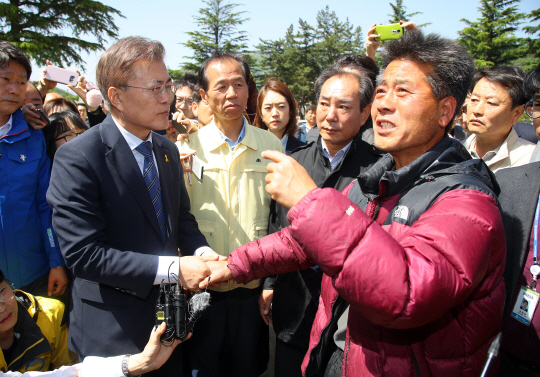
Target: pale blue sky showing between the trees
168 20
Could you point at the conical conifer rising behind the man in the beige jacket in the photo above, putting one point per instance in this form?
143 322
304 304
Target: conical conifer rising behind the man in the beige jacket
217 31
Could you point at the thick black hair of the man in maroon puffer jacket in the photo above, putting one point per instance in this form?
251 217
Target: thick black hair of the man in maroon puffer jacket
452 68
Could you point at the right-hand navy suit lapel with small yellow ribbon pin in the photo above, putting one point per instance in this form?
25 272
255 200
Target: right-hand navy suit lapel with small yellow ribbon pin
163 159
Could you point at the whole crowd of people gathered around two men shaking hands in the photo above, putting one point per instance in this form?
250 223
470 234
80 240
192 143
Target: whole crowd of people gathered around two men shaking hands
394 232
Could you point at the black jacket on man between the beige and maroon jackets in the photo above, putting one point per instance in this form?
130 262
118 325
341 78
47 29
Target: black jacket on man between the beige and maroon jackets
296 294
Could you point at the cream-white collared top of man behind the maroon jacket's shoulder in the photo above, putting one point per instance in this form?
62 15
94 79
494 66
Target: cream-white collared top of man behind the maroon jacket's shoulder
514 151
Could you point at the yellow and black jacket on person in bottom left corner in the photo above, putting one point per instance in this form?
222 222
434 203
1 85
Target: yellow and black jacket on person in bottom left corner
42 341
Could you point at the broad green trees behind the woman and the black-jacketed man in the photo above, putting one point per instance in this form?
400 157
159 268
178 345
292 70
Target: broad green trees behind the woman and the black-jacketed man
300 56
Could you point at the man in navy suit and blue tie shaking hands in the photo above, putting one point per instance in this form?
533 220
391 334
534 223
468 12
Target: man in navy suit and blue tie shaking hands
121 209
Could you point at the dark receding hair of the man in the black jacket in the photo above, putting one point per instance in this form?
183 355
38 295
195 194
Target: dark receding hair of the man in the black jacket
362 67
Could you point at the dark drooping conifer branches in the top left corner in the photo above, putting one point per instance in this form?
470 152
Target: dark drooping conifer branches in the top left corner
38 27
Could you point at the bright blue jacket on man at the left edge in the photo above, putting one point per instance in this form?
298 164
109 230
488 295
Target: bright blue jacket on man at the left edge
28 245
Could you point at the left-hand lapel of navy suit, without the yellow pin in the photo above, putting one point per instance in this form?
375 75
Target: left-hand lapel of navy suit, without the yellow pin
121 158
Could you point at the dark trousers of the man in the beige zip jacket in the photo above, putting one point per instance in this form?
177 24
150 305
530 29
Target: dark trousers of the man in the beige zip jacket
225 339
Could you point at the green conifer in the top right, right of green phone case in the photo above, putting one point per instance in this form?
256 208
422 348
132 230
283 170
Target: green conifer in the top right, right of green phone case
491 40
